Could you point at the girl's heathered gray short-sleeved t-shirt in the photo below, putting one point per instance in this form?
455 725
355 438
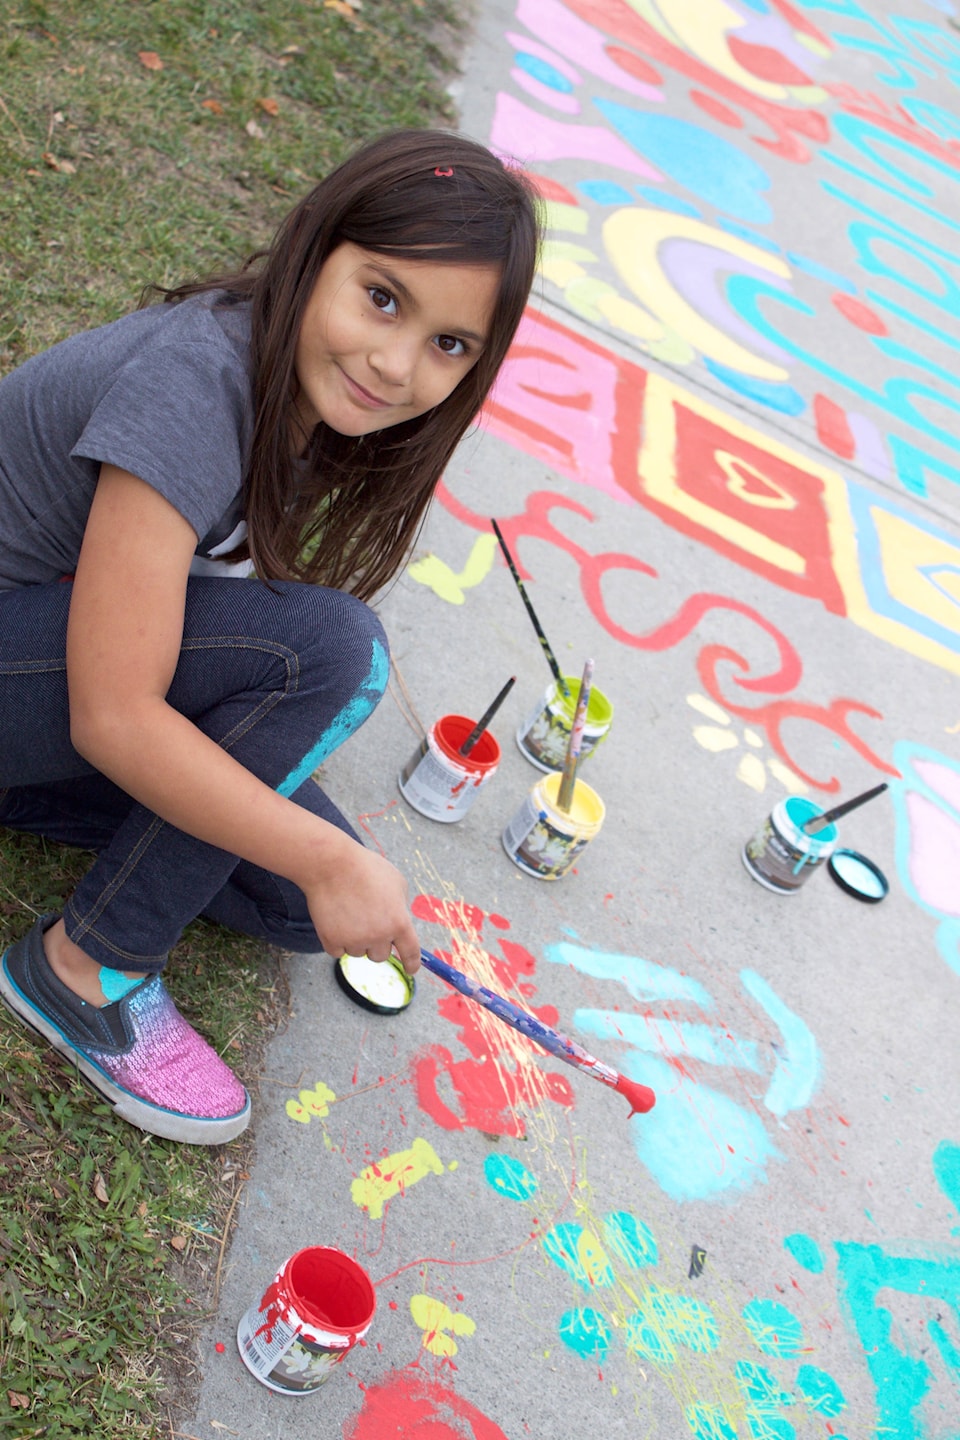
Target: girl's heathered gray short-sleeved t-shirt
163 394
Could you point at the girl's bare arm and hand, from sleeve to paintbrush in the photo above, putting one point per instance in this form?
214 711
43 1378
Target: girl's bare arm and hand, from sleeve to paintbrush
123 646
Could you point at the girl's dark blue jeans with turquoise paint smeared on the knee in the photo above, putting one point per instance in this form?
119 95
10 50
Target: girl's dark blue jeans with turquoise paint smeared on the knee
279 678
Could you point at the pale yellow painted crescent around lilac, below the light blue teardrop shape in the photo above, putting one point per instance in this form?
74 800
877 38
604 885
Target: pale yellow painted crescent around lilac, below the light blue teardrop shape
634 238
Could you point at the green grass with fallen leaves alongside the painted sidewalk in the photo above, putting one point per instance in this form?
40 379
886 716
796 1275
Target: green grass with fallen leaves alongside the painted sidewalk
114 176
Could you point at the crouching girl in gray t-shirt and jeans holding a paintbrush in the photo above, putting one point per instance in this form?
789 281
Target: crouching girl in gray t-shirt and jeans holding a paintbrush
291 421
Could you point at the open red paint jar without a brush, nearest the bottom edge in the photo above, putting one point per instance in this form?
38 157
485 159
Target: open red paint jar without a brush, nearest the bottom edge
319 1307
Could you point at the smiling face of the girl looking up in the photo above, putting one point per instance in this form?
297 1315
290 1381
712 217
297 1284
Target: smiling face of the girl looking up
385 341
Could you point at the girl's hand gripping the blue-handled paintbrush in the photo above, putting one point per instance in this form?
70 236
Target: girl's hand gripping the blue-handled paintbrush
359 906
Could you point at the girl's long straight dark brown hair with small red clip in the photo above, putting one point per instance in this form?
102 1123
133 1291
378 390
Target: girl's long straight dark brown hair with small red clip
349 512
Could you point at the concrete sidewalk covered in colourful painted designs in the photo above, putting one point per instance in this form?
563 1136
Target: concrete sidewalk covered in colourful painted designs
723 454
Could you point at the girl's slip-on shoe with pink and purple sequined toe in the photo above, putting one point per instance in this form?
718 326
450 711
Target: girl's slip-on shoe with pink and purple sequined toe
139 1052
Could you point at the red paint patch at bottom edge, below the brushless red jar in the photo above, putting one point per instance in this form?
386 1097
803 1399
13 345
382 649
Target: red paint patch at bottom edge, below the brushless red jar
407 1405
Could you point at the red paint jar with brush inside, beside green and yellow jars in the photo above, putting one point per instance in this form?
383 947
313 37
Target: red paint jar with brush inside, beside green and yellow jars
438 781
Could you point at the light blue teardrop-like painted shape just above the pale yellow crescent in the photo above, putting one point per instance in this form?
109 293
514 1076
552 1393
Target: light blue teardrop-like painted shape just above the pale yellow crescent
705 163
